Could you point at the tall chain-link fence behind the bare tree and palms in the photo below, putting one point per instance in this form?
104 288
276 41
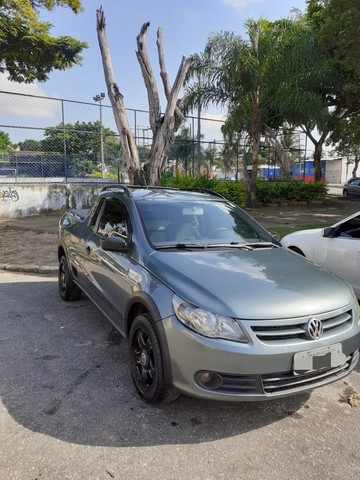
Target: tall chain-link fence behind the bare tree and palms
46 139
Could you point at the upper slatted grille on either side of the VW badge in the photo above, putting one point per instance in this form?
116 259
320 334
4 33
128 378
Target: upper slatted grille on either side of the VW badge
295 329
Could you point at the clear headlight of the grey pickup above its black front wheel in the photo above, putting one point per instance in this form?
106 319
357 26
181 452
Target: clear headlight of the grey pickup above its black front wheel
207 323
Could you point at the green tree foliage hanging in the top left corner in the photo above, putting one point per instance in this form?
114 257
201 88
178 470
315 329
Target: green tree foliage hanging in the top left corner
28 52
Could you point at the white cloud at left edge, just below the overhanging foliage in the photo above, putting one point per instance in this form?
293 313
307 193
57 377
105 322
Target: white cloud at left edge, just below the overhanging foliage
25 106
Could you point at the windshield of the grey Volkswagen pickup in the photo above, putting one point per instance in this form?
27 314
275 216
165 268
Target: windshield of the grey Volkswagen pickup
198 222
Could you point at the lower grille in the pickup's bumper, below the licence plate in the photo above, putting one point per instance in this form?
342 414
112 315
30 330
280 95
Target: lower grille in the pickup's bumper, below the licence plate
285 381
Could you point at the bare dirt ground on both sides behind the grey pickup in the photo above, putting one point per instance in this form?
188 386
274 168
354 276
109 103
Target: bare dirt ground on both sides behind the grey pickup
32 241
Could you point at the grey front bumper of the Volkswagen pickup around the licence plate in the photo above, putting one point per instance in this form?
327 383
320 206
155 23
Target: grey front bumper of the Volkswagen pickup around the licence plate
249 372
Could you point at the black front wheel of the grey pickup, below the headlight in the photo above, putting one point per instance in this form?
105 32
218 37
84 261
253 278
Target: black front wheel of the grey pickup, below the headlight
146 362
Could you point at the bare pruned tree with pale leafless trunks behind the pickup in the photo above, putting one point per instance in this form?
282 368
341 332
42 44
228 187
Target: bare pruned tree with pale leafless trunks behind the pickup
163 126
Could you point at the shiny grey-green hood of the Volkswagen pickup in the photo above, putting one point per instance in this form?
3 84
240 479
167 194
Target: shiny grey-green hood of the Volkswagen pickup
252 284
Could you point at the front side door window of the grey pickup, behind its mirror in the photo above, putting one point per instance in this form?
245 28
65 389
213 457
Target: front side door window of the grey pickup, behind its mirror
113 220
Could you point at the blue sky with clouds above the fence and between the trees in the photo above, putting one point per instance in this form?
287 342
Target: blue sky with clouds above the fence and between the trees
186 26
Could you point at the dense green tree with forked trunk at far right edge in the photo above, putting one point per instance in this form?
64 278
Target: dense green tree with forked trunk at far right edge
321 67
